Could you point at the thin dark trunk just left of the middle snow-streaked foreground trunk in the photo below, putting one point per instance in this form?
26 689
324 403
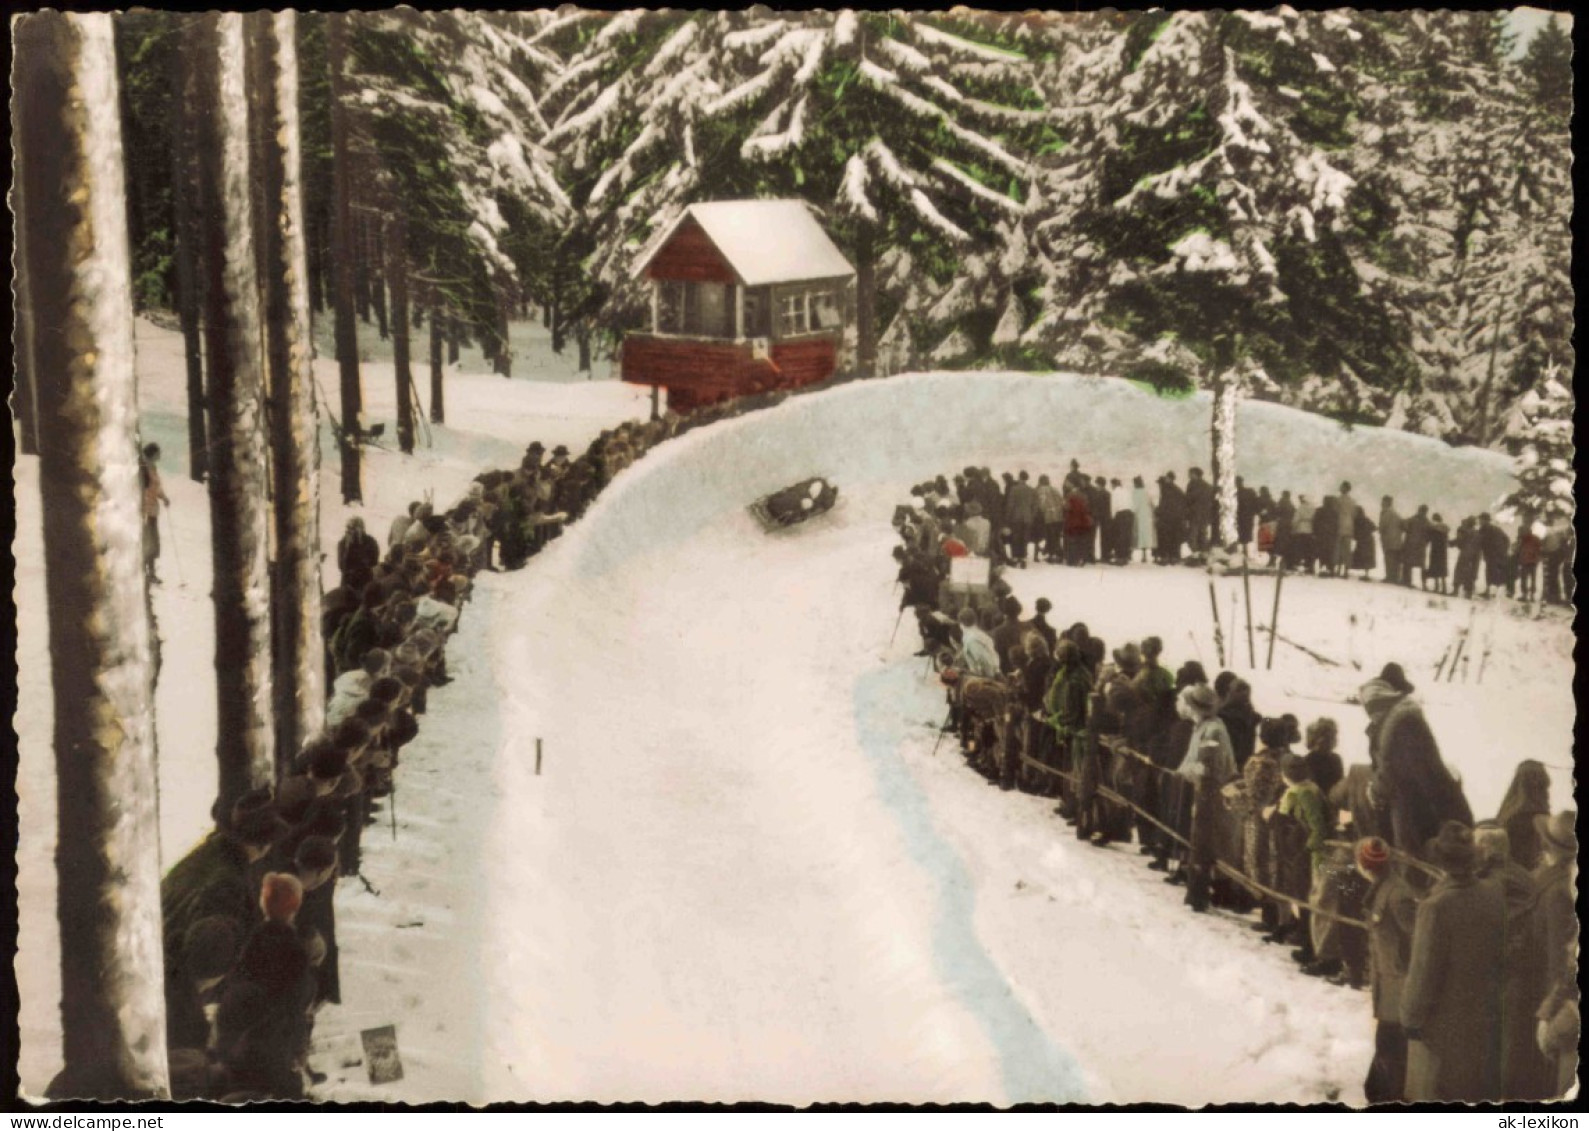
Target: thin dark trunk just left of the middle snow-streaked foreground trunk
187 222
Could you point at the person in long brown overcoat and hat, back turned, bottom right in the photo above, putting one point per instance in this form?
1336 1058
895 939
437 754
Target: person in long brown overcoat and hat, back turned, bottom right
1452 1003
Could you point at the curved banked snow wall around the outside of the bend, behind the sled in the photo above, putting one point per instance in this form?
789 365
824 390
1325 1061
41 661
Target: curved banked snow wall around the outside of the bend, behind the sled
899 431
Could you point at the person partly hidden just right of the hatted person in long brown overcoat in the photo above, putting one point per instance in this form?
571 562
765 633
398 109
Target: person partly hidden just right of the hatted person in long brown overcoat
1526 1075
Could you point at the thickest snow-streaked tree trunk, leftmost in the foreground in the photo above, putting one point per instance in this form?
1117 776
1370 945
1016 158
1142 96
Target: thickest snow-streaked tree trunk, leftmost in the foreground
109 849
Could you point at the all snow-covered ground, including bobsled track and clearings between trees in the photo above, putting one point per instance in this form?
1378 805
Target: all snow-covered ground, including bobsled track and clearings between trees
743 871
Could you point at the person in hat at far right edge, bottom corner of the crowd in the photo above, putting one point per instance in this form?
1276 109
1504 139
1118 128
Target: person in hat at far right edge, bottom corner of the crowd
1556 928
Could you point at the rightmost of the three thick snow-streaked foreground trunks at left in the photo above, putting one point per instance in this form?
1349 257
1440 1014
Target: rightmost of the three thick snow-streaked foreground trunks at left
300 670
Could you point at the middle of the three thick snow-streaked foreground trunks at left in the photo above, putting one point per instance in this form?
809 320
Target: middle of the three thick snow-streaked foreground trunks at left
239 515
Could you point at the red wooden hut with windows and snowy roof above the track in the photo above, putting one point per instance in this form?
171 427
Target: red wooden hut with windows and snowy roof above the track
746 296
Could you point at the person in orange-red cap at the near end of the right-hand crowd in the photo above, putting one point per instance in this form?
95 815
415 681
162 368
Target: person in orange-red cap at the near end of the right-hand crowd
1391 913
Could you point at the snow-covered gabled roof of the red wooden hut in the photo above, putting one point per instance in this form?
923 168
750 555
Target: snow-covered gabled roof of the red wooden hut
764 241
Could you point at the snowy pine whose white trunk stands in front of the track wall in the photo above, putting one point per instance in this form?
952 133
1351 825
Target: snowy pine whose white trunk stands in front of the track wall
1224 217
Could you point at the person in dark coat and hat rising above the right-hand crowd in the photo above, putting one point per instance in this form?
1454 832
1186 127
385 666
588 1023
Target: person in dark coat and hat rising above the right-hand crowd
1410 776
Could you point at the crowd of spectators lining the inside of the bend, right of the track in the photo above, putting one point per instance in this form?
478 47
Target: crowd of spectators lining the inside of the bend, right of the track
1377 876
